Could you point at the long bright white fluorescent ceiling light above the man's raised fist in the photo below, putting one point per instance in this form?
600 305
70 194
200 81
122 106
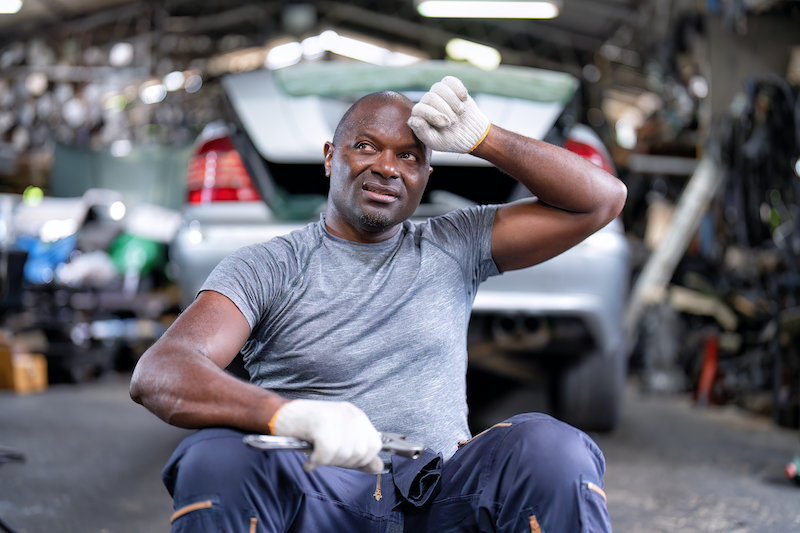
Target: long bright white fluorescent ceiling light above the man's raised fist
509 9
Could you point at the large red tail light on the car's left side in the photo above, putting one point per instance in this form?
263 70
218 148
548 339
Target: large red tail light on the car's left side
216 174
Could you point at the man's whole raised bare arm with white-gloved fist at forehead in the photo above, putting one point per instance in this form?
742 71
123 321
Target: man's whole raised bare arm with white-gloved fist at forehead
574 197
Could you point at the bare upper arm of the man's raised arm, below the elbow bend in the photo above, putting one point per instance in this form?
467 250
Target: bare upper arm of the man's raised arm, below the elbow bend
528 232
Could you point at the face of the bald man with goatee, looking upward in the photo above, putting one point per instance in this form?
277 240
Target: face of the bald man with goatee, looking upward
378 171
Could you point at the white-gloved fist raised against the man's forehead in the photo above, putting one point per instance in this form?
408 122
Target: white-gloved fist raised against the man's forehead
447 119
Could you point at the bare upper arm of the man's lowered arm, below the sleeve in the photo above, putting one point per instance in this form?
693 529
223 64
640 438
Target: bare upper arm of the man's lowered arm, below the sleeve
212 326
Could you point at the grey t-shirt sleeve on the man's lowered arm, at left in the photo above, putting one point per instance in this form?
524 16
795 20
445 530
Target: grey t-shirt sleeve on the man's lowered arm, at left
251 278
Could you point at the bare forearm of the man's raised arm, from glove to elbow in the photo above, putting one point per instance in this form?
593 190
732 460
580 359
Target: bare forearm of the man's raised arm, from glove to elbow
554 175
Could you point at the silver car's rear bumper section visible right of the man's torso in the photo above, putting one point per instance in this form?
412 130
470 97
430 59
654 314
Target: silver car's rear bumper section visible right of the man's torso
574 302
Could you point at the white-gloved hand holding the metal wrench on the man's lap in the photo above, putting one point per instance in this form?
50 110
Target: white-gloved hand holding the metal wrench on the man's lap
340 432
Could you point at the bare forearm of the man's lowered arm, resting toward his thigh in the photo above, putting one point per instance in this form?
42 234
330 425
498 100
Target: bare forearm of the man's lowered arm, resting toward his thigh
190 391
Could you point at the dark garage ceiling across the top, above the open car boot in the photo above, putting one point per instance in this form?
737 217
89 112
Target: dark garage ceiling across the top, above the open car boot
619 35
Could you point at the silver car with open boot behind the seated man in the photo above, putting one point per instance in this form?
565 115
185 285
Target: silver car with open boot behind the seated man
260 174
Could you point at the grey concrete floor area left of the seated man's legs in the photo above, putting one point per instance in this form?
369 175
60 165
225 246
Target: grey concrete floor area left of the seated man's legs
93 459
